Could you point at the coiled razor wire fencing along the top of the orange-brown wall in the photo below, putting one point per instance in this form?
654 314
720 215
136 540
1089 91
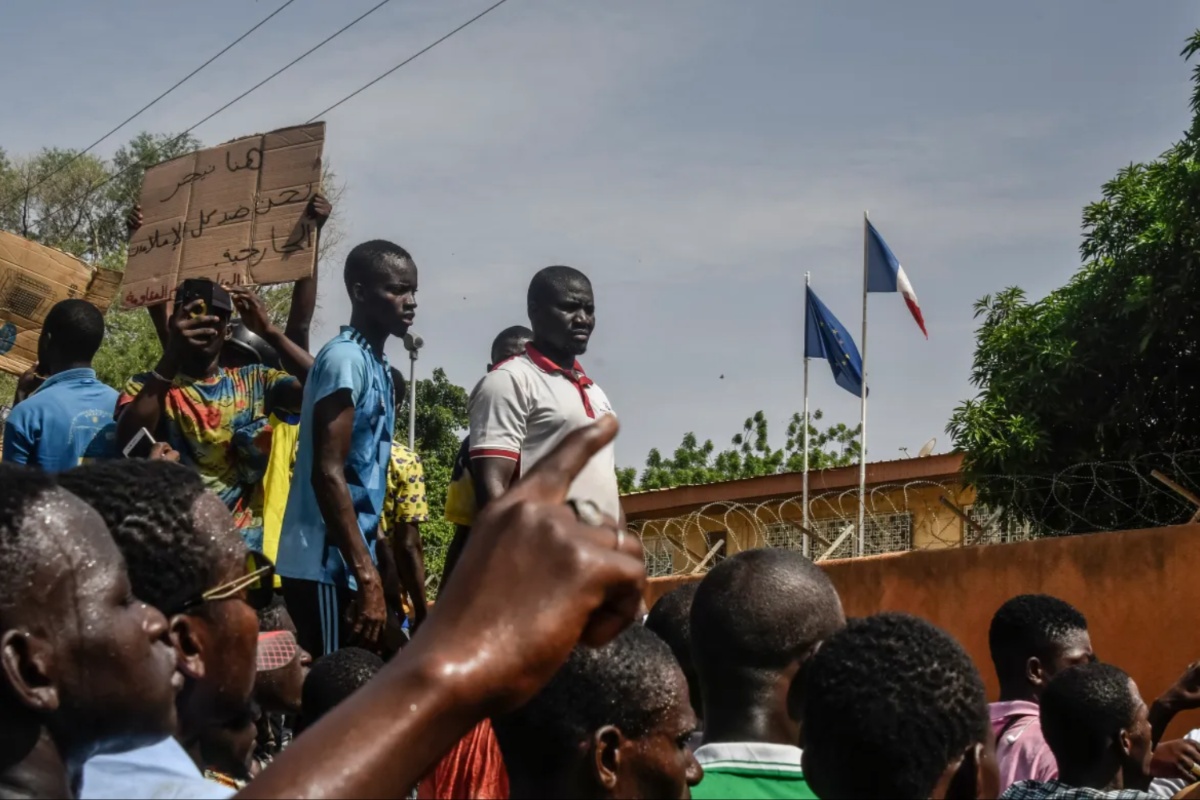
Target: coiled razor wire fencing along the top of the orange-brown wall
1148 492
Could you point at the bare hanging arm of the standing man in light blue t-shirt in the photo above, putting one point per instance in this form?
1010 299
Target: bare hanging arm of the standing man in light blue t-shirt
333 426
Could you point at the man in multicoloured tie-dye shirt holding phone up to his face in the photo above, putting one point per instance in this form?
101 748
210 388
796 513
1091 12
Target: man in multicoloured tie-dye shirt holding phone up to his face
217 417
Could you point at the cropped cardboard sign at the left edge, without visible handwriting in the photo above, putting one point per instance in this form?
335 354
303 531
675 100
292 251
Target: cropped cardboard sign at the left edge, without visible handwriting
33 279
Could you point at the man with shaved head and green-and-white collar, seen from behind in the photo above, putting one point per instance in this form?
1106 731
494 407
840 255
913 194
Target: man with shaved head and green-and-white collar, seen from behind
757 619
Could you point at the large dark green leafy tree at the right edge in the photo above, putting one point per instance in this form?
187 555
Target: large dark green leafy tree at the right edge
1103 369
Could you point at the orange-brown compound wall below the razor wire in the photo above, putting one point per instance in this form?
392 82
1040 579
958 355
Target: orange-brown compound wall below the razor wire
1141 592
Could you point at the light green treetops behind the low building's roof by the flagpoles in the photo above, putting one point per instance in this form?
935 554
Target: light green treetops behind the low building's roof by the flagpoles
751 456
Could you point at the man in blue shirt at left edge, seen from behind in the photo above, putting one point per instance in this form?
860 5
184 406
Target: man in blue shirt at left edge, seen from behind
68 416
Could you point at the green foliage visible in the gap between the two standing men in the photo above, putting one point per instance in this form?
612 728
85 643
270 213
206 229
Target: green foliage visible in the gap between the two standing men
441 425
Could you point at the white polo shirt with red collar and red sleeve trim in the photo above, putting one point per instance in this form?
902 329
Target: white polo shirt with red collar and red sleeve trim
525 407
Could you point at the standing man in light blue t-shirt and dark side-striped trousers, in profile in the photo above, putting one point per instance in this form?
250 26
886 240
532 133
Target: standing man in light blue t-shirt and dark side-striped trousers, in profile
328 545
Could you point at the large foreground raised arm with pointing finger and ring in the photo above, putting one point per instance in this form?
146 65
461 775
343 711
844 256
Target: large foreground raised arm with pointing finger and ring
566 579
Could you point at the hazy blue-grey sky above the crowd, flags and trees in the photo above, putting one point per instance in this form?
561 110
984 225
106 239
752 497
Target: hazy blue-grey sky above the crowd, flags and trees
694 158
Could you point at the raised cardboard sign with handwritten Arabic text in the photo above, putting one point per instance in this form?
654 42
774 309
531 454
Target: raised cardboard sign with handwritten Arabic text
233 214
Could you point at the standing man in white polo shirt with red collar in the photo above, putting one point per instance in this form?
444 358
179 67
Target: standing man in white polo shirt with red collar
525 406
